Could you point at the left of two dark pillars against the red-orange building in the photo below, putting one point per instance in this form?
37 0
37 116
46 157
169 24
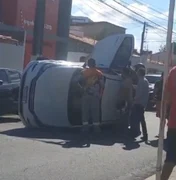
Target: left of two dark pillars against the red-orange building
38 32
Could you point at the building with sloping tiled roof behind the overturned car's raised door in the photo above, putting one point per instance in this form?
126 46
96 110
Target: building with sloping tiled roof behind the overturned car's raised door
84 35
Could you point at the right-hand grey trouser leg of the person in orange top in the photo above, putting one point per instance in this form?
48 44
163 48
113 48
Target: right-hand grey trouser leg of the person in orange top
95 112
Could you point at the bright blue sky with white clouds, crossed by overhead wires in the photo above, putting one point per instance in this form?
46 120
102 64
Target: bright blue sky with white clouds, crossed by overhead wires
154 36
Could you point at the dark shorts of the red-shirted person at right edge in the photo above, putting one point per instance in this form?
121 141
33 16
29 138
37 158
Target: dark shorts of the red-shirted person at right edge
171 146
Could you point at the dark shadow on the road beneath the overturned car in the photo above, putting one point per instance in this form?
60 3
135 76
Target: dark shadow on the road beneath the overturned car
71 138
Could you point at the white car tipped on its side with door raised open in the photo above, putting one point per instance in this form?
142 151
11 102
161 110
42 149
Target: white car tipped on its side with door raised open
49 96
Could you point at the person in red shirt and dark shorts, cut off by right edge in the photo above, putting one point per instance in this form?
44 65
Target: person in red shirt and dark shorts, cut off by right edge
170 99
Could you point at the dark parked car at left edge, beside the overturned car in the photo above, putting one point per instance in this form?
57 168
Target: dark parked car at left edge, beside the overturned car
9 91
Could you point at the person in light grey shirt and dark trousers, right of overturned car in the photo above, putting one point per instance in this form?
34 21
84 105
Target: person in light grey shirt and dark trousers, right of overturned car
138 109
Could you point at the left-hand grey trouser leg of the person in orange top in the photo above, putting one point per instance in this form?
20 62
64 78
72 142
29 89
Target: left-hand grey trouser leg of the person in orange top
85 112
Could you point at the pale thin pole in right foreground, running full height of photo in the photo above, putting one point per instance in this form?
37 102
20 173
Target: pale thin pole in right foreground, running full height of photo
163 105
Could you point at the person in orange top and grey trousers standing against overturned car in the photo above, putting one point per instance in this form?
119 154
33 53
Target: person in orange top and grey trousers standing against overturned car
93 85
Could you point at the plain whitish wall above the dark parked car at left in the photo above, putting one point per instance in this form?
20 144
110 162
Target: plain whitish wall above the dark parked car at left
11 56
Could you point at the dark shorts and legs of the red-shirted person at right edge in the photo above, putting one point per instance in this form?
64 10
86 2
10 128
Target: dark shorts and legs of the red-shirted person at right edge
170 155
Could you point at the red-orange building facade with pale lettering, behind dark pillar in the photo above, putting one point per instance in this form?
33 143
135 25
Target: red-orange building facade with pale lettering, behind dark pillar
21 13
